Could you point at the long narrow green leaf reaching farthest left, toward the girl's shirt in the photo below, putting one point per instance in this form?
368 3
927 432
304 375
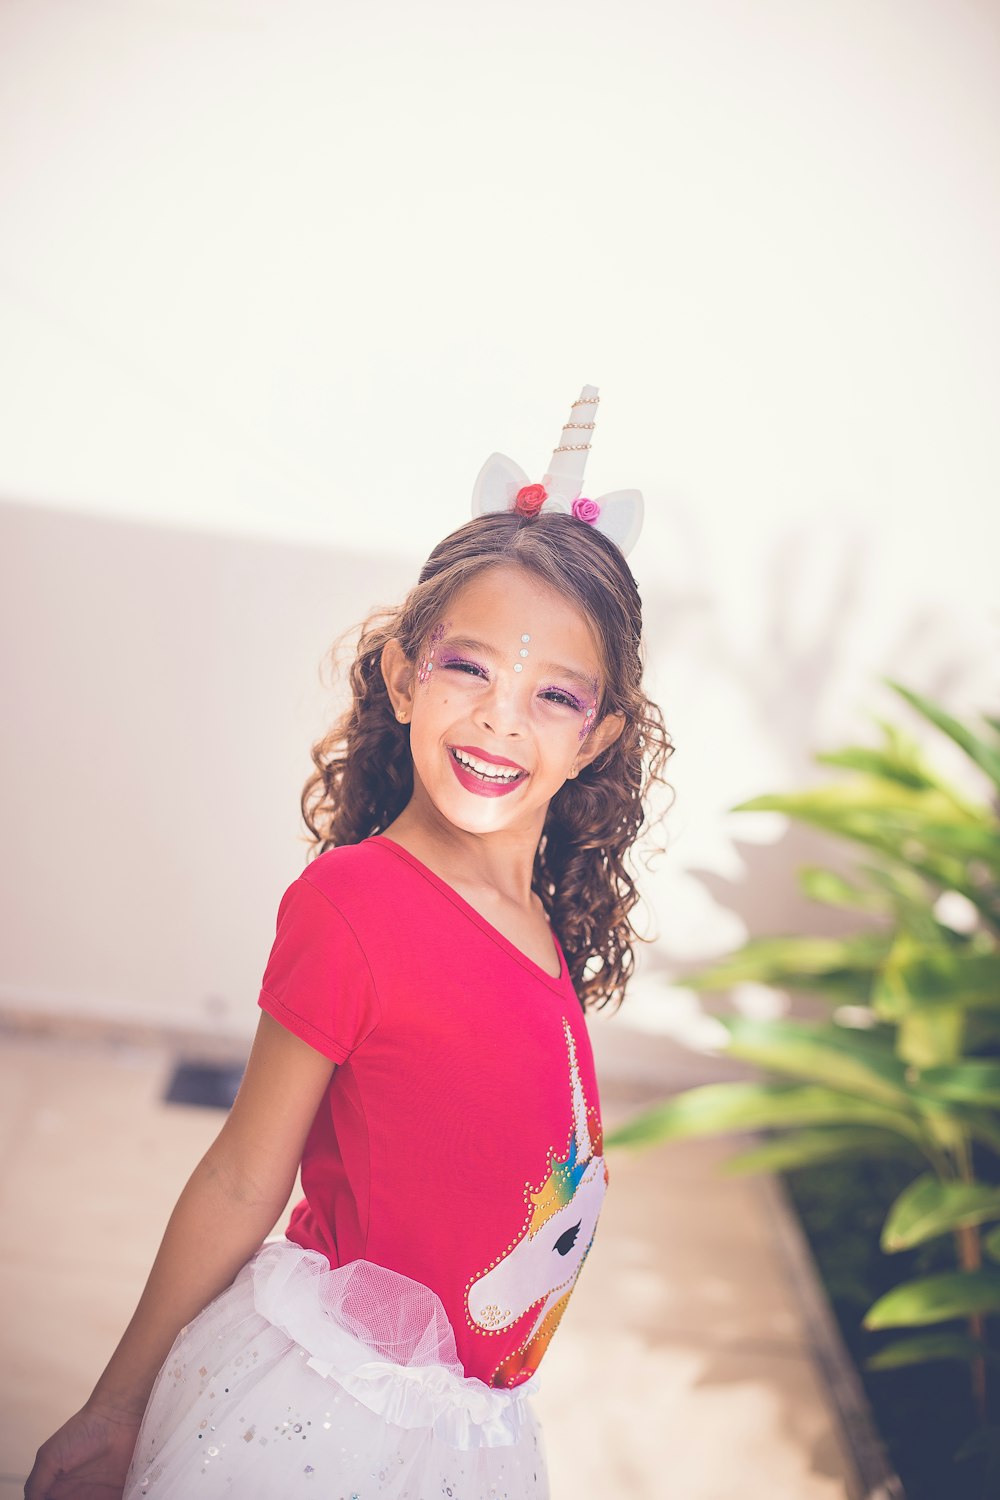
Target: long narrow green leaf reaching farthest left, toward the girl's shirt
720 1108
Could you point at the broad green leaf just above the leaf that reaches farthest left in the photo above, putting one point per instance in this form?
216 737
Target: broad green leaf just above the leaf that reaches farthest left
843 1060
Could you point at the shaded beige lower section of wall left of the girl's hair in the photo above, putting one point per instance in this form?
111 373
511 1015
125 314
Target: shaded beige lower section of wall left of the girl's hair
161 691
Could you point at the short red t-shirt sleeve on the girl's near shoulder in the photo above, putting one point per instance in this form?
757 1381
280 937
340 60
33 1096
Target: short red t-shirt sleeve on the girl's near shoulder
317 982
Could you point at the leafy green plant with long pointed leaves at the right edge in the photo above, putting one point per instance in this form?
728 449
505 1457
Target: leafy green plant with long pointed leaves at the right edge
908 1061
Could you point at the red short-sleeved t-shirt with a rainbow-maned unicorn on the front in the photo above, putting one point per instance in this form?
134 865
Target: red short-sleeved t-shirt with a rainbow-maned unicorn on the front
460 1142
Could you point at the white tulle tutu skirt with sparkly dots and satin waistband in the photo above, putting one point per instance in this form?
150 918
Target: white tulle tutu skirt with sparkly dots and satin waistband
335 1385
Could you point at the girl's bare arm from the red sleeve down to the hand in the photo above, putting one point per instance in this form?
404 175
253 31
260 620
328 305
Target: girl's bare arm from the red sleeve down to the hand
230 1204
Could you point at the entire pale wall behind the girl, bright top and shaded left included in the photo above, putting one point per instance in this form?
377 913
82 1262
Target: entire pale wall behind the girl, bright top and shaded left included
275 280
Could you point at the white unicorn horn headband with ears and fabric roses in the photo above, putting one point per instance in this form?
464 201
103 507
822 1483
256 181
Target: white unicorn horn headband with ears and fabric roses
503 485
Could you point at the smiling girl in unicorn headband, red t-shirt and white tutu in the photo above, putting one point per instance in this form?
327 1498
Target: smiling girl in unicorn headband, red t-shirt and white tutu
422 1052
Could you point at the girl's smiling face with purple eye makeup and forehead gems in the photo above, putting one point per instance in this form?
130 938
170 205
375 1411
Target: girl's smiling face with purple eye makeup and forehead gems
503 703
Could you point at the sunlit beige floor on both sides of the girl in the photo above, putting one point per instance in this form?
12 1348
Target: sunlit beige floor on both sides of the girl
681 1370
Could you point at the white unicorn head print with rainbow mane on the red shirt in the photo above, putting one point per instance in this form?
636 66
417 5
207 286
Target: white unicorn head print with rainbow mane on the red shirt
539 1270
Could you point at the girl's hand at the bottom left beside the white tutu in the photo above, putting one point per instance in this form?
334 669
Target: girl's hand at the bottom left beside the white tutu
88 1459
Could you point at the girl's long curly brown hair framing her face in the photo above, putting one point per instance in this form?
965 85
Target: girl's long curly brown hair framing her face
364 770
